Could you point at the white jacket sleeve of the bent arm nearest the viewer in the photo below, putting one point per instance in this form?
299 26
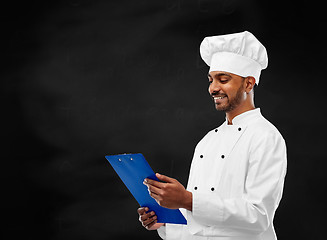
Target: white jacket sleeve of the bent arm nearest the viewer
253 210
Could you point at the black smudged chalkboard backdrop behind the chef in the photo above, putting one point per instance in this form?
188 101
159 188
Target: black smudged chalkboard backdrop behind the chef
81 79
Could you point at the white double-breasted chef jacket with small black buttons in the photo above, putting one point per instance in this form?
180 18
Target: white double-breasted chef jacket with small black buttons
236 179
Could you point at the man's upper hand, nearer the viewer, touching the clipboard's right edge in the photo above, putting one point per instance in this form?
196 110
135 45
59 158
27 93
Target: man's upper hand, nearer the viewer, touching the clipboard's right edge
170 193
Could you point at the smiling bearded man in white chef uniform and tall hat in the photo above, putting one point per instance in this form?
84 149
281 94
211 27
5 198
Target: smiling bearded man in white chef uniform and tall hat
238 169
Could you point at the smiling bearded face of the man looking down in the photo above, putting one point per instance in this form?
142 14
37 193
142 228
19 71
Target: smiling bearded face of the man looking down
227 90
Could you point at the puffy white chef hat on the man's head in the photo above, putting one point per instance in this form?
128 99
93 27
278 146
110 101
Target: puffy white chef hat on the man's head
238 53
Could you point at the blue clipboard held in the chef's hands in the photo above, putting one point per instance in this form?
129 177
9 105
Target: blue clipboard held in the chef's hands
133 169
